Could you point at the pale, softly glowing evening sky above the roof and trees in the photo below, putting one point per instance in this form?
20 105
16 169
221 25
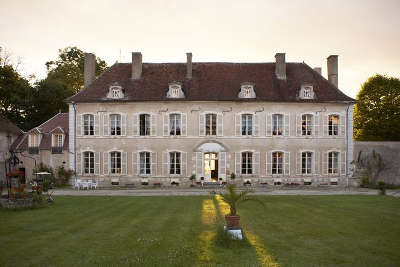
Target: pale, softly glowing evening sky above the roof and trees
364 33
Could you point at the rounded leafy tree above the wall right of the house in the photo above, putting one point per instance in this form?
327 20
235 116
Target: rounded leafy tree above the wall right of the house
377 113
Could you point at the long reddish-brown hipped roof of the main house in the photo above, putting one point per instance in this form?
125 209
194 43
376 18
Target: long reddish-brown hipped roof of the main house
211 82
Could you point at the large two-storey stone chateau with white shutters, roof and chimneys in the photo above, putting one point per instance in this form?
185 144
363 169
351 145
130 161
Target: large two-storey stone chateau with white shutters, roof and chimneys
164 122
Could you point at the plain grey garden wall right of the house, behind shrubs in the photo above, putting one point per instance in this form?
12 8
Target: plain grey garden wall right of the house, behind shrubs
390 152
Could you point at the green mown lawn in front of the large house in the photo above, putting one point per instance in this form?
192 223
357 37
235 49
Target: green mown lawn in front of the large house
174 231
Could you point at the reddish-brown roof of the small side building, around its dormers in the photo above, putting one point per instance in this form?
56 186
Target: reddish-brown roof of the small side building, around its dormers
57 124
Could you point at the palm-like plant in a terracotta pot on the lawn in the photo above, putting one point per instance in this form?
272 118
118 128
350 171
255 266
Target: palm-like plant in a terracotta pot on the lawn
233 199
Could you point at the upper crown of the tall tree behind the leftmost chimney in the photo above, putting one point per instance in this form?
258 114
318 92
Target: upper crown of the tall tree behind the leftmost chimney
69 66
